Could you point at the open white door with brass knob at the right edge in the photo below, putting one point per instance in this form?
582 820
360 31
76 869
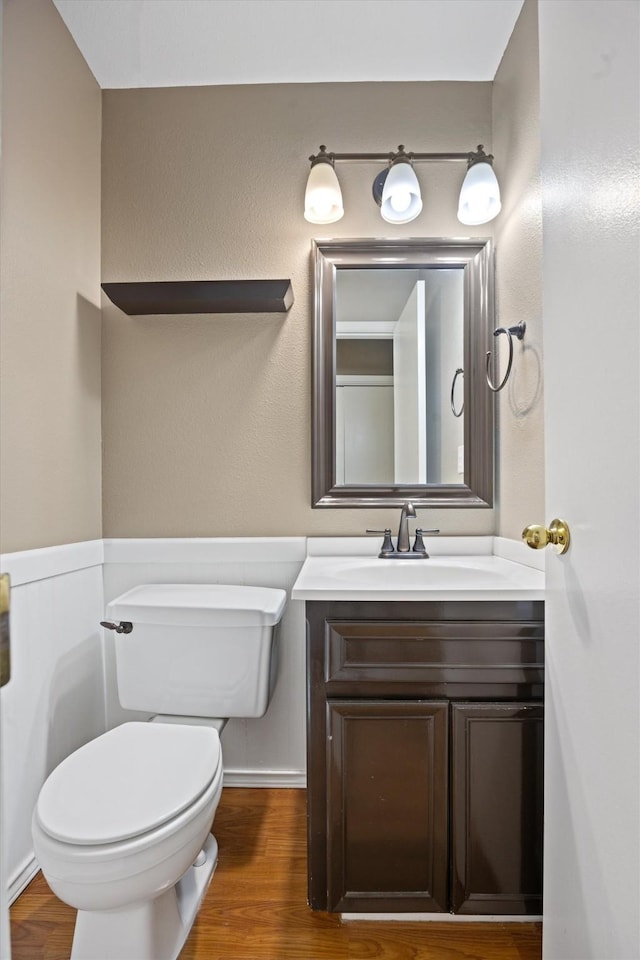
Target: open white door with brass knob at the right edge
590 118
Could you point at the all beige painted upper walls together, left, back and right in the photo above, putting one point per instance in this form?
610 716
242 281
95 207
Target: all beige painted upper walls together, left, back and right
207 419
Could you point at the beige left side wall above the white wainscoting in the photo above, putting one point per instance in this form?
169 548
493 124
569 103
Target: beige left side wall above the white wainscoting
50 456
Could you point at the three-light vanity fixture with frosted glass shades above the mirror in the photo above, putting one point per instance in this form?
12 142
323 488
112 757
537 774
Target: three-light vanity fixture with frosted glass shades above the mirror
396 189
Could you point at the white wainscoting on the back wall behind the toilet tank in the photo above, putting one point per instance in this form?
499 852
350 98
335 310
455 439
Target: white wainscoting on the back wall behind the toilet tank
269 751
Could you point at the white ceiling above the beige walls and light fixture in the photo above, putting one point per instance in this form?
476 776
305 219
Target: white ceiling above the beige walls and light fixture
160 43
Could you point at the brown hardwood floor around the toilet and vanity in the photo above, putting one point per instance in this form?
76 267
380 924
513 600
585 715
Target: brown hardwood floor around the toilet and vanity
256 905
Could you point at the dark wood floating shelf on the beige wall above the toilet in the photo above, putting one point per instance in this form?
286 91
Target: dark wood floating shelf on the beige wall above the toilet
201 296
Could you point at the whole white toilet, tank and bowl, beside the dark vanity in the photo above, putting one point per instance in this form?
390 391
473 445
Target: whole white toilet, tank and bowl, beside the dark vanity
121 828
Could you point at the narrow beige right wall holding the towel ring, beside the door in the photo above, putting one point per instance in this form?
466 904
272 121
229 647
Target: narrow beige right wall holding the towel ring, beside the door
516 145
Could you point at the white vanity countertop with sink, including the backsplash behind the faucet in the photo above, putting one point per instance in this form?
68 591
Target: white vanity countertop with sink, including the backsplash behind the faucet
458 568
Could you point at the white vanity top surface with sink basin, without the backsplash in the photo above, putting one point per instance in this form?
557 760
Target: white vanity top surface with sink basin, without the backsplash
440 577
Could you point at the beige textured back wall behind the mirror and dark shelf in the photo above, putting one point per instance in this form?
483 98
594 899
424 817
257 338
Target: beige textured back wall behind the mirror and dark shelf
206 420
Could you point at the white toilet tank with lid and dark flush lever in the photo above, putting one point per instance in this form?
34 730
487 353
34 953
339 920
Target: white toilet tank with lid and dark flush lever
200 650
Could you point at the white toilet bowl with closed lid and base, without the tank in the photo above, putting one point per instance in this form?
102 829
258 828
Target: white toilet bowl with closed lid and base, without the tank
118 824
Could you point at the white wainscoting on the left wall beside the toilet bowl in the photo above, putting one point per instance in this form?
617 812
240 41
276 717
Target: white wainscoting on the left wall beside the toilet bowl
54 701
